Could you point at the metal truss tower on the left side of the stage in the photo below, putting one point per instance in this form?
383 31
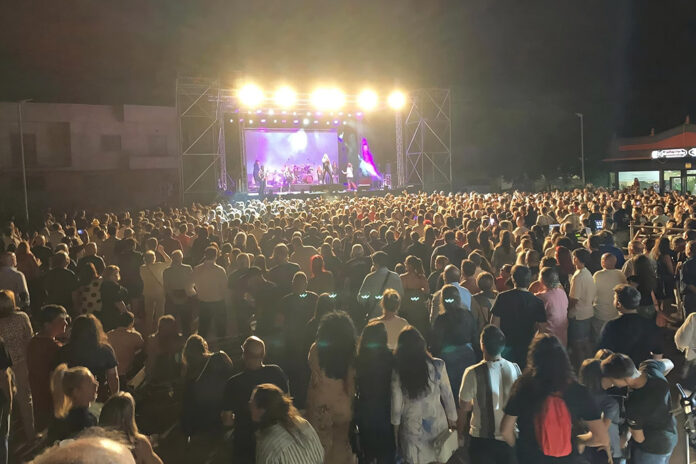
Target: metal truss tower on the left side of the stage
203 166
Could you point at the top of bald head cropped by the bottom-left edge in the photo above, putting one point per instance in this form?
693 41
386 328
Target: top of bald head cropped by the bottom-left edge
92 450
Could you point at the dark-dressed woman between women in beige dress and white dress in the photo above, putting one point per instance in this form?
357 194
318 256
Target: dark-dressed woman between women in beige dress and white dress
373 373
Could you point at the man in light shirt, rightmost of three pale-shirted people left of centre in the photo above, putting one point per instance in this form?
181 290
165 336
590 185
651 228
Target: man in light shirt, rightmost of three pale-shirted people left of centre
210 281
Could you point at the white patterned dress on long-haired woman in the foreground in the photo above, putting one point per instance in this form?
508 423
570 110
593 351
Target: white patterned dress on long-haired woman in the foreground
422 419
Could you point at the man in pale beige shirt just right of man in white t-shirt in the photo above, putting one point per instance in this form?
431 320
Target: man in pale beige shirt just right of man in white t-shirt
605 281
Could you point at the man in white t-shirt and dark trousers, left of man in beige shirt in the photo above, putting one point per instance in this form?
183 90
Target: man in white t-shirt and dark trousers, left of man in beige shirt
580 310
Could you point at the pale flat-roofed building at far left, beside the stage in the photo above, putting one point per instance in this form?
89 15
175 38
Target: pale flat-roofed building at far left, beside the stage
90 156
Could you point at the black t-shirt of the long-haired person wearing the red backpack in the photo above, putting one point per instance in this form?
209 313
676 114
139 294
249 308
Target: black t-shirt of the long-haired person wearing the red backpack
524 405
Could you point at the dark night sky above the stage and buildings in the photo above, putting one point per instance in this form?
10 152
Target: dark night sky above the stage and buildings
518 70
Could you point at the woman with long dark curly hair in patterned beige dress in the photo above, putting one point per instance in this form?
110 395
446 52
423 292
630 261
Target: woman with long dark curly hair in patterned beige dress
332 385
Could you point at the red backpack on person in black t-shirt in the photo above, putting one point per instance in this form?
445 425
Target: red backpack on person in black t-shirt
553 427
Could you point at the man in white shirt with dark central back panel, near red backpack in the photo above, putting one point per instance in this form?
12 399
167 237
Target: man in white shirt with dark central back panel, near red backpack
485 389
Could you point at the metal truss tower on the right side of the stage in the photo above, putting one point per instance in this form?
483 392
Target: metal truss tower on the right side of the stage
427 134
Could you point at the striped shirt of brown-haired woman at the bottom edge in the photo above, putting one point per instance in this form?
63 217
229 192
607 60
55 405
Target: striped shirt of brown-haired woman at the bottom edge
277 446
